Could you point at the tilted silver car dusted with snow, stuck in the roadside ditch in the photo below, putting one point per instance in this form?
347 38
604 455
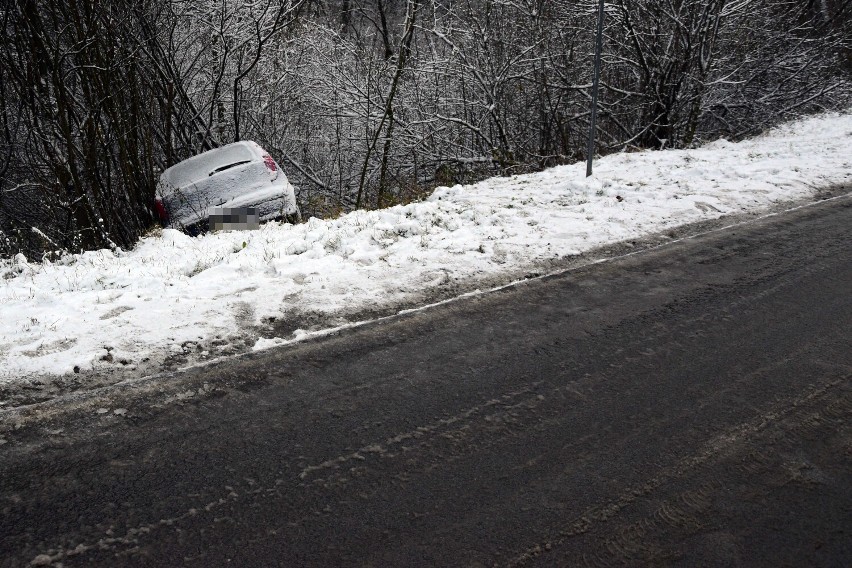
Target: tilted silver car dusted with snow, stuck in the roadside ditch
237 186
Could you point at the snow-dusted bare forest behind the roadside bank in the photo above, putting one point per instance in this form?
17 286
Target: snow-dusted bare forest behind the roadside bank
369 103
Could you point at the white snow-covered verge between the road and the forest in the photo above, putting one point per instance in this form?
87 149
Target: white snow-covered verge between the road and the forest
174 293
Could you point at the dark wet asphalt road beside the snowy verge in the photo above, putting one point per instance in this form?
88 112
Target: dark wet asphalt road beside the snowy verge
684 406
